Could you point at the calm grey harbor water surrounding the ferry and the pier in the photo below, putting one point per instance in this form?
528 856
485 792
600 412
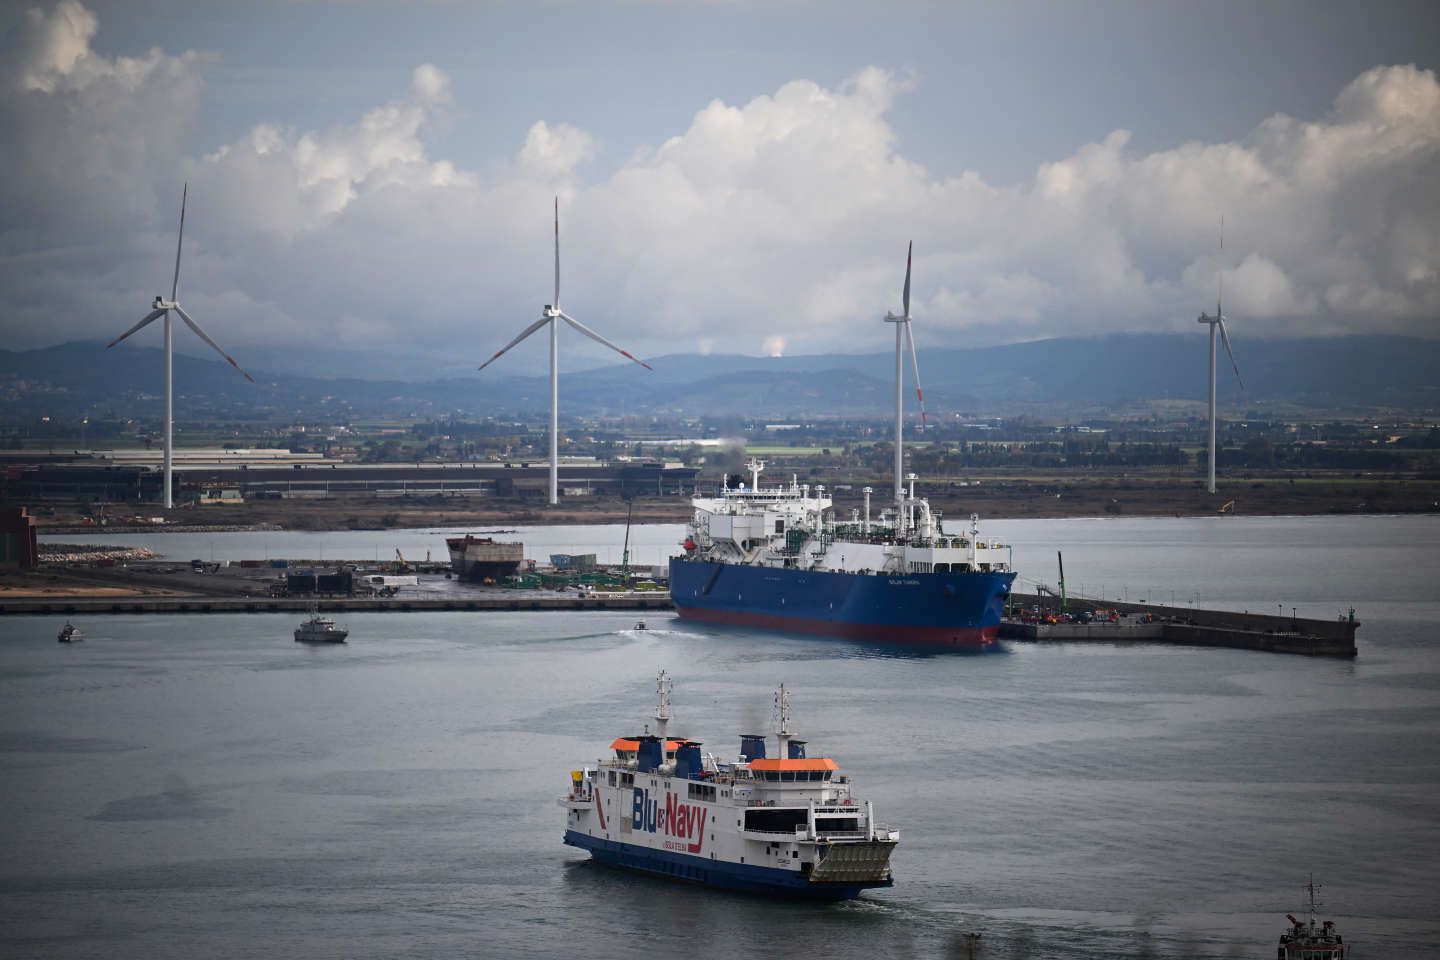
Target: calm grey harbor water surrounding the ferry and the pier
184 787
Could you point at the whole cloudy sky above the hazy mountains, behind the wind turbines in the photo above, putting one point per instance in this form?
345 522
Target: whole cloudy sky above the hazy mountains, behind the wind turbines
734 178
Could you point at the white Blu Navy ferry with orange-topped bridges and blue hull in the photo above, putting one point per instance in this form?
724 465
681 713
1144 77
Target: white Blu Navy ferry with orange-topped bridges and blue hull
787 825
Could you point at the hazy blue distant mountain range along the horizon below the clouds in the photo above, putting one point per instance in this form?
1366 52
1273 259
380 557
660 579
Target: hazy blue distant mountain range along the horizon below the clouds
1050 378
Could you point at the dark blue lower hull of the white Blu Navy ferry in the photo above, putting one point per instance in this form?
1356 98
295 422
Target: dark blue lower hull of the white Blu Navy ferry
701 870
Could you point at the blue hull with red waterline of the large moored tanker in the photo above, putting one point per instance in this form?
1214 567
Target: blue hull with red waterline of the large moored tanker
954 611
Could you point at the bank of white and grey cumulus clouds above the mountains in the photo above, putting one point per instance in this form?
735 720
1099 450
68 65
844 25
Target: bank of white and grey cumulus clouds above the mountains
778 224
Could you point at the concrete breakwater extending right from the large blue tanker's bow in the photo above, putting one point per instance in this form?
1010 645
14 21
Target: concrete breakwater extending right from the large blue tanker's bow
1189 627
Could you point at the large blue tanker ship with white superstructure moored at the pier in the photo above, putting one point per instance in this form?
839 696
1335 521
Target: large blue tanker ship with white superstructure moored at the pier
774 559
